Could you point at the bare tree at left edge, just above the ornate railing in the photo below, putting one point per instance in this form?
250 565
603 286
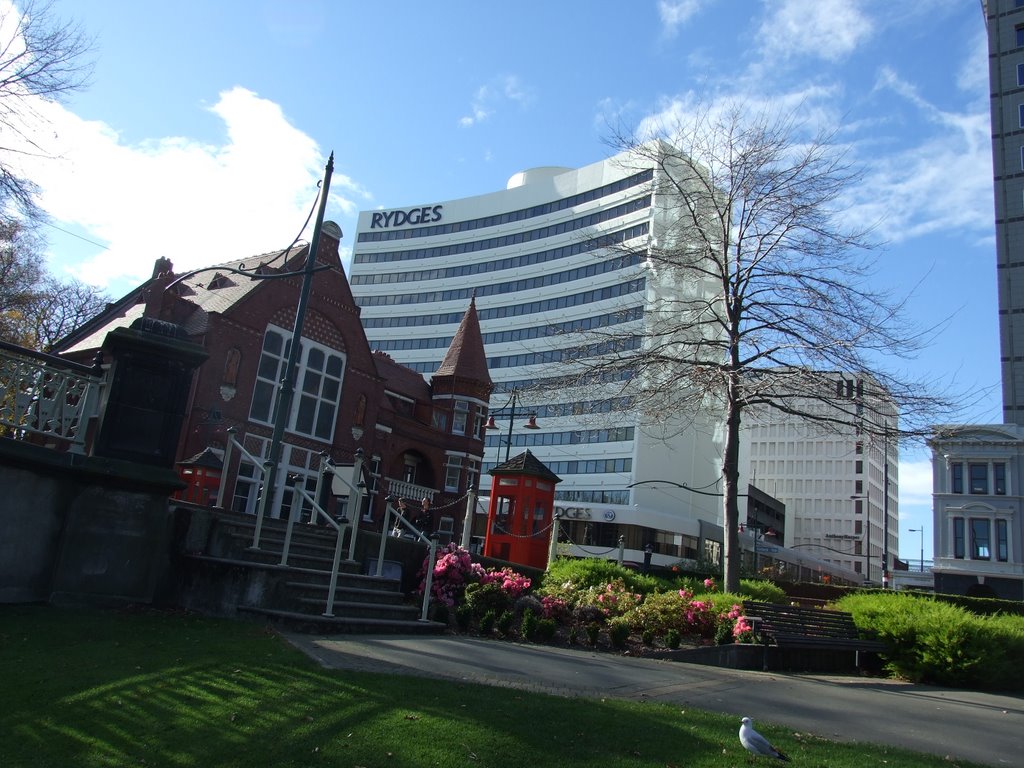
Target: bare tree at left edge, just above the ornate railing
36 308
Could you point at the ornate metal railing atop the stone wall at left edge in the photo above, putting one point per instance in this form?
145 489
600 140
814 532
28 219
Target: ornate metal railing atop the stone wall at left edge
47 400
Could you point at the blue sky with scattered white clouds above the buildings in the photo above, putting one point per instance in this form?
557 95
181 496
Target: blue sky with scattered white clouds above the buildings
208 124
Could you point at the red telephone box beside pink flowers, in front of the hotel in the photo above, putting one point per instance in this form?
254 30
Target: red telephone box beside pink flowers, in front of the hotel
522 510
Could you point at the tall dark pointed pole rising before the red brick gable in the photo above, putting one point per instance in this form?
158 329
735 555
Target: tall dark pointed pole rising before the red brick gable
286 394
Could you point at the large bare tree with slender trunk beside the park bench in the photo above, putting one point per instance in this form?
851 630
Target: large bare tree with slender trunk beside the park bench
764 296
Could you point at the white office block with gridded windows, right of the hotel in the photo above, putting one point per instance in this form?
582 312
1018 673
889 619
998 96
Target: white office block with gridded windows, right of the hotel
840 486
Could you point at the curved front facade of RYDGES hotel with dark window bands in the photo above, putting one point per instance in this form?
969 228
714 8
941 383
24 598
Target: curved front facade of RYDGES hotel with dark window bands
558 268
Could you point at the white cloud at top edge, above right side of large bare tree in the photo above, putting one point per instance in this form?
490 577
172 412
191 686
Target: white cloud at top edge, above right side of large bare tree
821 29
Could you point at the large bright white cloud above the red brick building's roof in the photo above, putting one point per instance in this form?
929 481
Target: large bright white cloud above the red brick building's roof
193 202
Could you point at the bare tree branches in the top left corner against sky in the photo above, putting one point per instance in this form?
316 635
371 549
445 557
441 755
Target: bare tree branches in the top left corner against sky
41 57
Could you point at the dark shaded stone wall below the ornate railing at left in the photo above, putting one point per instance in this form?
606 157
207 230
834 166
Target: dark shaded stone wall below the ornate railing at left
81 529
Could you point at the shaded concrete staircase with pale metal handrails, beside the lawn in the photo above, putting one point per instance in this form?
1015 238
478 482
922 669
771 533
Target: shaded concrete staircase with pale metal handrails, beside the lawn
221 573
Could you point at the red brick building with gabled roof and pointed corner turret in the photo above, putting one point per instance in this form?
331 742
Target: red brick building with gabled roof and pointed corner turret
419 440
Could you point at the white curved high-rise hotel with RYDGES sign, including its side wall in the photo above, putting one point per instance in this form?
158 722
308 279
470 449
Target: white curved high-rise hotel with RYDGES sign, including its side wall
545 261
